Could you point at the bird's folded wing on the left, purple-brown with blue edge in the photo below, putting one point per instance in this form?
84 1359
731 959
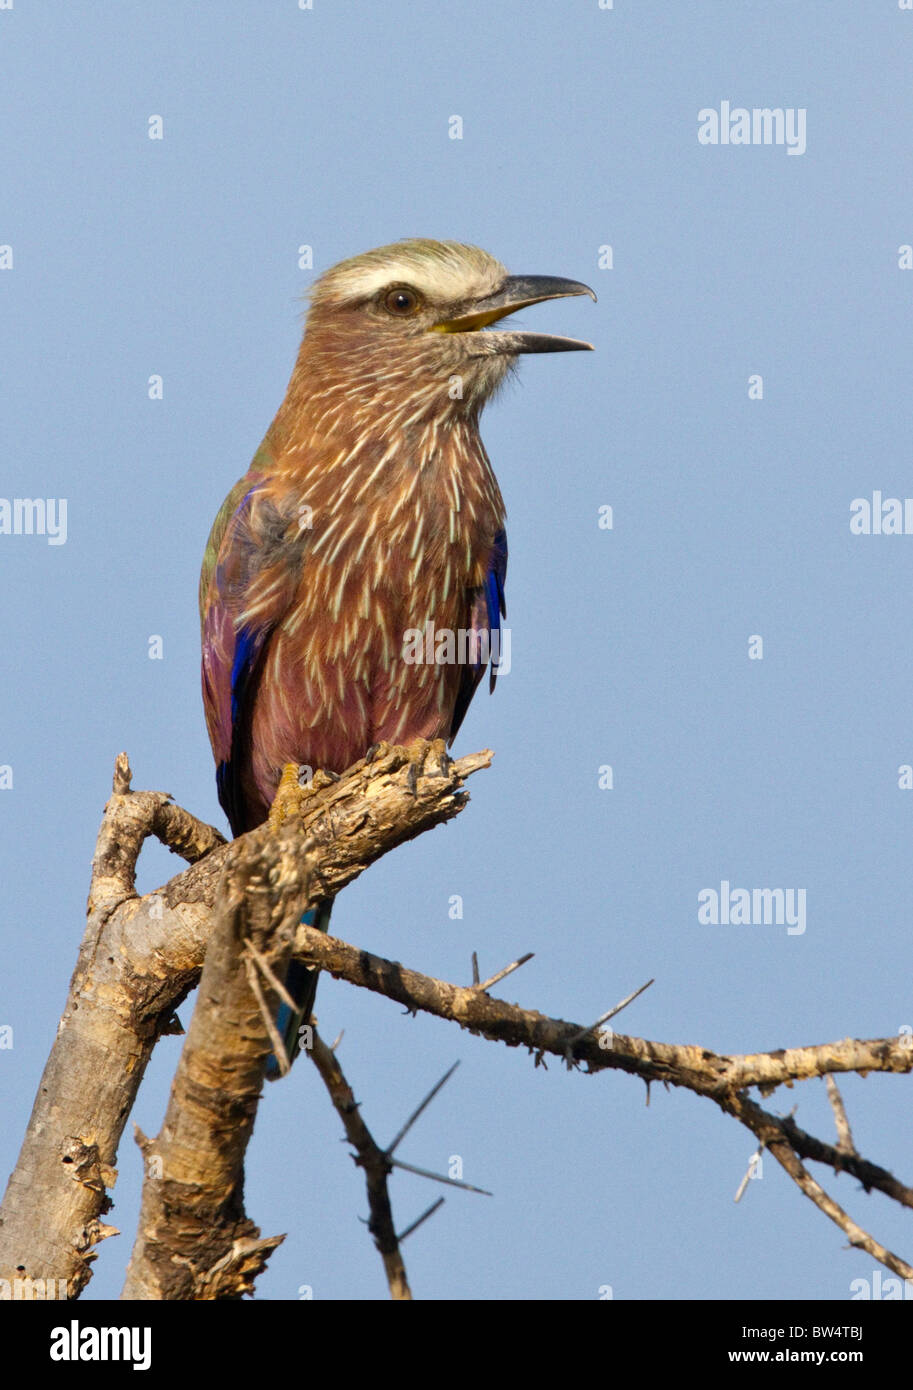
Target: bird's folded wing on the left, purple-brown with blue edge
249 580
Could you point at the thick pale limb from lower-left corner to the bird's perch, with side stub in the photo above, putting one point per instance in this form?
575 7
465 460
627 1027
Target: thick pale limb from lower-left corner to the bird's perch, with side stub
140 958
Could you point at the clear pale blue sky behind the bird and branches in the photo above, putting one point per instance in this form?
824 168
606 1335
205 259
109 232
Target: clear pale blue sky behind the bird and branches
180 258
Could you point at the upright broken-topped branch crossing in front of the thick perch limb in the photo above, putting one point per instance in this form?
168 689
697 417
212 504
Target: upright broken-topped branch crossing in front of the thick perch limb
194 1239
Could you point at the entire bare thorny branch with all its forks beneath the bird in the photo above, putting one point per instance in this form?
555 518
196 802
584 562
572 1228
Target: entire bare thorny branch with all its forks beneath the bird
141 957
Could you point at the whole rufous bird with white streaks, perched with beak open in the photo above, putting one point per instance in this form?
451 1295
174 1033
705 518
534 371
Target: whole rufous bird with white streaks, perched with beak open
369 512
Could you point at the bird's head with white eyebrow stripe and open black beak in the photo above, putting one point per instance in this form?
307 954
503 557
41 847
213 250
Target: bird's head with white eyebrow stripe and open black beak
408 327
